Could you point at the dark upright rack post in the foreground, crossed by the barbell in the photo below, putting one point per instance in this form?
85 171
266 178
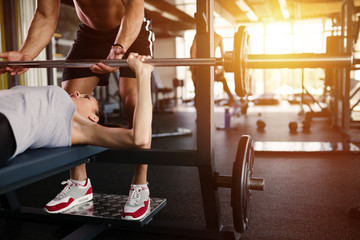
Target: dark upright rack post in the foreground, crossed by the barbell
205 112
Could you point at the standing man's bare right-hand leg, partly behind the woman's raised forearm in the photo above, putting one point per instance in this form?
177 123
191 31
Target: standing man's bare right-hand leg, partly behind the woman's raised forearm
128 93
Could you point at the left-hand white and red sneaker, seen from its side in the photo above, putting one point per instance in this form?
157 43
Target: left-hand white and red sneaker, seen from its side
72 195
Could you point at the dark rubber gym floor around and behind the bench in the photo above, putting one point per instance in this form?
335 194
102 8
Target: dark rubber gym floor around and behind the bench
306 196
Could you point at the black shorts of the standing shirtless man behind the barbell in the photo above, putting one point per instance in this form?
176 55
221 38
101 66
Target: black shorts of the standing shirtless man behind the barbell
93 44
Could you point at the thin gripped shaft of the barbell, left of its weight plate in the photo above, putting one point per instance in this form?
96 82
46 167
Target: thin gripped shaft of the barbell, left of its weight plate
86 63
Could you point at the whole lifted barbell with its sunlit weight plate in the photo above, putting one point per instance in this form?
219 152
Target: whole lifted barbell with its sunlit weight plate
237 61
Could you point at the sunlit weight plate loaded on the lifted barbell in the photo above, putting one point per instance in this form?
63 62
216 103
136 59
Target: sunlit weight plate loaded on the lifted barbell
240 53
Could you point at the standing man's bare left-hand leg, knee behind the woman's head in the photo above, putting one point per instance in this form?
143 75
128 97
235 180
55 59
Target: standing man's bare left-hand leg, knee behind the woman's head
84 86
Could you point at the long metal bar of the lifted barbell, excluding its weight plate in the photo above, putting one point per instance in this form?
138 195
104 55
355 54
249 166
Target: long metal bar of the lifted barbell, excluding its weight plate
256 61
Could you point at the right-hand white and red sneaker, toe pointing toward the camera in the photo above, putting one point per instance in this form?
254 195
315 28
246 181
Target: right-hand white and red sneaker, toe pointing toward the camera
138 203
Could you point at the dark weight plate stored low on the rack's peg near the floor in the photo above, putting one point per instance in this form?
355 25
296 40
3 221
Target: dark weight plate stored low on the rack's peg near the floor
240 192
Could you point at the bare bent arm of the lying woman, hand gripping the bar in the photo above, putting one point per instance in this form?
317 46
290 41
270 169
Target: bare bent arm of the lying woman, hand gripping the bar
140 134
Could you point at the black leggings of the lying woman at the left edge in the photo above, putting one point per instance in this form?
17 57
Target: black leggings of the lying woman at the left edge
7 140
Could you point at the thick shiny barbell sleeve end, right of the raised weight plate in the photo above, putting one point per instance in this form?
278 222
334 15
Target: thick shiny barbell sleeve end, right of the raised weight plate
302 60
